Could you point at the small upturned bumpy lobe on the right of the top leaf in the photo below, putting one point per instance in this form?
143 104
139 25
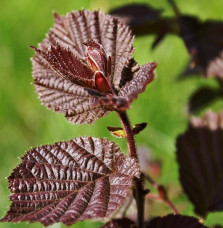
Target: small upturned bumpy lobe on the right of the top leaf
138 84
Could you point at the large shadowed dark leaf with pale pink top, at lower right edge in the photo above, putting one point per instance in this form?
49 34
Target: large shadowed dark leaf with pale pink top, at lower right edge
200 158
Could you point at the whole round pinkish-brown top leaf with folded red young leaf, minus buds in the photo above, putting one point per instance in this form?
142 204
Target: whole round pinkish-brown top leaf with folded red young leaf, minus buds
63 79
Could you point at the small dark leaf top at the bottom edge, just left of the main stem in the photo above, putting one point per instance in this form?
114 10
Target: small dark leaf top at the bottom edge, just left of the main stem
120 223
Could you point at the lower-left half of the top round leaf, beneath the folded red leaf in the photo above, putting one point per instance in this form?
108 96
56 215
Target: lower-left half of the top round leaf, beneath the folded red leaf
63 96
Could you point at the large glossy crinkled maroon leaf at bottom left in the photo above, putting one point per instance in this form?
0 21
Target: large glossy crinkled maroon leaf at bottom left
83 178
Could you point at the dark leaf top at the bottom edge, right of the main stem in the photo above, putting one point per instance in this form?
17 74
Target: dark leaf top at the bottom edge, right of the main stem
175 221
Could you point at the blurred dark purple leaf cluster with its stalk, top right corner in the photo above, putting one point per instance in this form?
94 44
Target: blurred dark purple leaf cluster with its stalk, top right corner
203 39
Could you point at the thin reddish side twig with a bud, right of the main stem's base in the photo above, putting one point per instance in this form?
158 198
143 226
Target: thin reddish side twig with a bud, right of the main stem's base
163 196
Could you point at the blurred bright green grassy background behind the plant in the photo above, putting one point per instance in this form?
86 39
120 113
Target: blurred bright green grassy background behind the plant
25 123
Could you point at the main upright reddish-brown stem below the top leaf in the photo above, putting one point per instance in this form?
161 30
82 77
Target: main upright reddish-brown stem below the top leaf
138 183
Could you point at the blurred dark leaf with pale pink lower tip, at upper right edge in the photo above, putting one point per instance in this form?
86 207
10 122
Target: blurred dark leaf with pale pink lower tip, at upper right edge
204 43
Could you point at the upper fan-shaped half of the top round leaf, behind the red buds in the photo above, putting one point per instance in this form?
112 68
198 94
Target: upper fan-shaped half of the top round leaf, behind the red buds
78 27
